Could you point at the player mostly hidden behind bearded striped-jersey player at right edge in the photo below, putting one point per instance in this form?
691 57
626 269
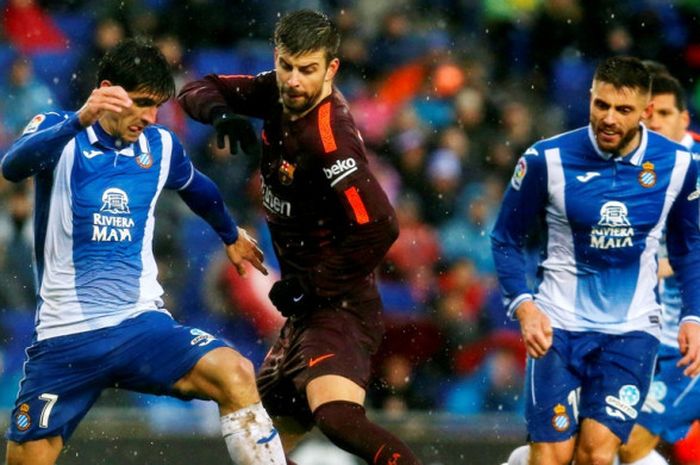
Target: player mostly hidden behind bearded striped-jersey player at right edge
673 402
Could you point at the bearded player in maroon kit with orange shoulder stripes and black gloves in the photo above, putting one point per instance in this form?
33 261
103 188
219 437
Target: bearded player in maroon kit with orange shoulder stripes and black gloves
331 224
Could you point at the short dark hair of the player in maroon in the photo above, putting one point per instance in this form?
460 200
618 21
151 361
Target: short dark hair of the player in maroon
305 31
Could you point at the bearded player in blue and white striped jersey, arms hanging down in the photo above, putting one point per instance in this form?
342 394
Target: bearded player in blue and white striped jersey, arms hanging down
604 192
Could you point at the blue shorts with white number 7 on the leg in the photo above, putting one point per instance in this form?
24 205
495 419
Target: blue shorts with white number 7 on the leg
64 376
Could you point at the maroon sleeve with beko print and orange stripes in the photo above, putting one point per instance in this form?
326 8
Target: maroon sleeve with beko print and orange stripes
370 225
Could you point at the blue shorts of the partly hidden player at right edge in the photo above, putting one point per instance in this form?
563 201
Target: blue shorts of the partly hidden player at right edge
673 402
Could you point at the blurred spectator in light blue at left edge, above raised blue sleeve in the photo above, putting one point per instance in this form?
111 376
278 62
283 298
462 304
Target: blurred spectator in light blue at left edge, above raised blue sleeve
24 96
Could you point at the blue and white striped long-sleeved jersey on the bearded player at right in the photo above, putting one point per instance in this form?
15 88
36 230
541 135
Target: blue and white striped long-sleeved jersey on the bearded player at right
604 217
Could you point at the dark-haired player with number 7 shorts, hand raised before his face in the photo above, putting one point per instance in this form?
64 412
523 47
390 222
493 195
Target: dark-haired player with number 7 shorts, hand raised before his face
100 320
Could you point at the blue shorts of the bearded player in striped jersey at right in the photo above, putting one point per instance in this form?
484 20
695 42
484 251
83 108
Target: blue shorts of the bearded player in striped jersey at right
588 375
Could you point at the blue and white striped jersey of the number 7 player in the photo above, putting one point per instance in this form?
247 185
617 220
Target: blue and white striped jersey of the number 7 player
94 219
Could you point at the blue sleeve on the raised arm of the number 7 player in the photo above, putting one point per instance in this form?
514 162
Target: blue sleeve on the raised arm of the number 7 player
40 146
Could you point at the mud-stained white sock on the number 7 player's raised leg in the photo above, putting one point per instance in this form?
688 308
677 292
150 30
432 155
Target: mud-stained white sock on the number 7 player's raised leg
250 437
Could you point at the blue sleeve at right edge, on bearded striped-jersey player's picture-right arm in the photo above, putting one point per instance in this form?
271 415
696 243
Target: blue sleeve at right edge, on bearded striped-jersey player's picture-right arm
683 244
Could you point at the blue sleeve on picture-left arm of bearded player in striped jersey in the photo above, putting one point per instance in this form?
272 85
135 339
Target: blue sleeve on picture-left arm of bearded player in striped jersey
521 209
